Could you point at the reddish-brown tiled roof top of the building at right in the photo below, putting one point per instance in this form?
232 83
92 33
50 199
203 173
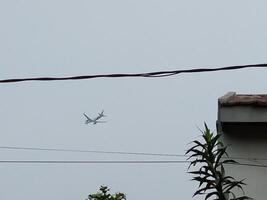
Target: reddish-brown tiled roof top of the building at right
233 99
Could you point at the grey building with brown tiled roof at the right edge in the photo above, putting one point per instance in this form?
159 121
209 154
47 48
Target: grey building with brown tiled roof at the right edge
242 121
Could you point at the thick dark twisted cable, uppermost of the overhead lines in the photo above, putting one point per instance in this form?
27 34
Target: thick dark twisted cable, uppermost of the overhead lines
146 74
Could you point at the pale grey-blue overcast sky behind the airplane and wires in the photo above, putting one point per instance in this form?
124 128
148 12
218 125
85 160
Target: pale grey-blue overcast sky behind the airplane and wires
153 115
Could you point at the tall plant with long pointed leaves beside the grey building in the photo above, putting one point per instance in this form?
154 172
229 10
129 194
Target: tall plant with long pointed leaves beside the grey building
211 156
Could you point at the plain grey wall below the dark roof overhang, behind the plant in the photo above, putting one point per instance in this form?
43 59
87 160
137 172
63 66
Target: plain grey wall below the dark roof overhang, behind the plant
256 177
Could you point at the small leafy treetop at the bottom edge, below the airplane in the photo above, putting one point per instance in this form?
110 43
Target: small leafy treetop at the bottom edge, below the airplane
104 194
